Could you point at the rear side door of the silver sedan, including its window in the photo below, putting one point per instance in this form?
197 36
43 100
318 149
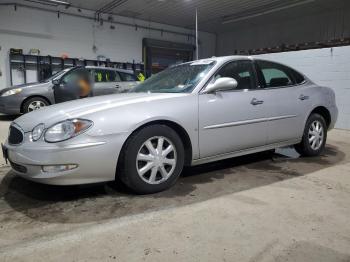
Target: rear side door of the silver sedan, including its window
284 105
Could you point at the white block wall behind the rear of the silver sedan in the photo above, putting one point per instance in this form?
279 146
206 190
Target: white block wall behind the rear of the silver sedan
327 67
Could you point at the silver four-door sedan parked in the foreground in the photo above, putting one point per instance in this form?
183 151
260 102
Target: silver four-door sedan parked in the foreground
189 114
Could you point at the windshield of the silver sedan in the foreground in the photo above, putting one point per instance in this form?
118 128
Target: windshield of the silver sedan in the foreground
177 79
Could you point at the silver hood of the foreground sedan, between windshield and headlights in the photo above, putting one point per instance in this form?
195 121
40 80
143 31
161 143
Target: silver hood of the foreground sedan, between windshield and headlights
83 108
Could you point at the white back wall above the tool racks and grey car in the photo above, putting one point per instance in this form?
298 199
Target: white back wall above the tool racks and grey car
28 28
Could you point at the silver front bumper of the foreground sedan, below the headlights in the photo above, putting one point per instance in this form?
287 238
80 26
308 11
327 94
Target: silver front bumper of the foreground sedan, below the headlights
95 157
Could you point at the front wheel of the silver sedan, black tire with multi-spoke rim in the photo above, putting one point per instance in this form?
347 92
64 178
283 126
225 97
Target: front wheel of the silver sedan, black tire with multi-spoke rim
137 157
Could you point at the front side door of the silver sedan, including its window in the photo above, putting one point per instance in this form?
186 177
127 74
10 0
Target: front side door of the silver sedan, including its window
232 120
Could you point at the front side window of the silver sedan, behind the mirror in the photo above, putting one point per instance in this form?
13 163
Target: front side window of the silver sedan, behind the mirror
242 71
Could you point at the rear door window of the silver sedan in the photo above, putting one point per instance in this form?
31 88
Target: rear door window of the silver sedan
275 75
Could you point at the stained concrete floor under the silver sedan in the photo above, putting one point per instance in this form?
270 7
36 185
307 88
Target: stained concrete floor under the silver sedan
262 207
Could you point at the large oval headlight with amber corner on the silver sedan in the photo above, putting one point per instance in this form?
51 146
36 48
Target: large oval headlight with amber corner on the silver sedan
66 129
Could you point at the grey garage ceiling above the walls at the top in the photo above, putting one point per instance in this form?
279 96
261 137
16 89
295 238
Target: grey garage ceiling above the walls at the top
214 15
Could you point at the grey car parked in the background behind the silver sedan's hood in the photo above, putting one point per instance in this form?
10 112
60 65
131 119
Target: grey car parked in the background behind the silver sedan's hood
61 87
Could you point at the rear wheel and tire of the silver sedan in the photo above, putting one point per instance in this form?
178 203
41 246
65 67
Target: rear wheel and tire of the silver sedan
314 136
